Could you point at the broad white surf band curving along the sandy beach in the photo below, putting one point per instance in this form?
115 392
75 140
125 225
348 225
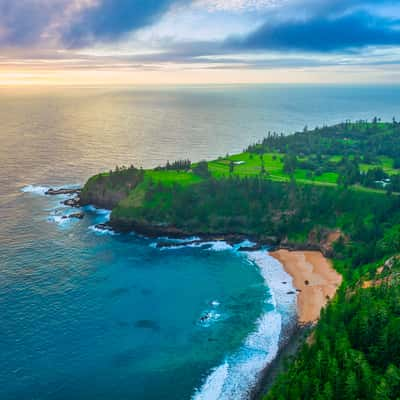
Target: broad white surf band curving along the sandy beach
239 373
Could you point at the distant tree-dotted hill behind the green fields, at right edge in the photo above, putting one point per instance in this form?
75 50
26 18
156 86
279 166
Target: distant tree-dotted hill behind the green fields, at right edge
357 152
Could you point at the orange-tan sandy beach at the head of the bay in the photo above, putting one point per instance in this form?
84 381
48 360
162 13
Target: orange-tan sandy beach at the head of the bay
314 277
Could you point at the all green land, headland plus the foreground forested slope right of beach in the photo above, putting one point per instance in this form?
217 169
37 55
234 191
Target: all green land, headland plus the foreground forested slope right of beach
291 191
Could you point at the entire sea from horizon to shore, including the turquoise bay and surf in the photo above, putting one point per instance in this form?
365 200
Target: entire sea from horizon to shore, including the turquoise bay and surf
89 315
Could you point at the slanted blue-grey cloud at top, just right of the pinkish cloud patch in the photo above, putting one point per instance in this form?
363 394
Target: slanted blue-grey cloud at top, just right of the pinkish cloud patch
108 20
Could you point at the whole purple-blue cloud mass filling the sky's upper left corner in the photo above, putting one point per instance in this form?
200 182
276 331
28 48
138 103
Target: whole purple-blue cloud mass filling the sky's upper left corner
74 23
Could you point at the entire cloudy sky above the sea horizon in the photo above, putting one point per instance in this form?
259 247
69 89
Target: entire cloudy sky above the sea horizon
92 42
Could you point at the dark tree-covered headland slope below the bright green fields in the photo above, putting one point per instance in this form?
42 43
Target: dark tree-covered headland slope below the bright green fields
266 210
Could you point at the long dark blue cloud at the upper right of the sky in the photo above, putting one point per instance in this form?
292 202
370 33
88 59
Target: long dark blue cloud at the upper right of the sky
322 34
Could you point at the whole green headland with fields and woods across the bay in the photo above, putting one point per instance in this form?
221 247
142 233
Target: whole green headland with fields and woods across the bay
267 195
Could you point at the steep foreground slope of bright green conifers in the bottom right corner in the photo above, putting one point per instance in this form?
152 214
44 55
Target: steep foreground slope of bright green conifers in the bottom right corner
354 353
